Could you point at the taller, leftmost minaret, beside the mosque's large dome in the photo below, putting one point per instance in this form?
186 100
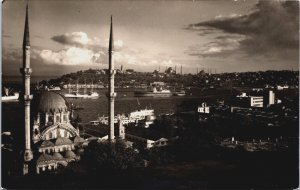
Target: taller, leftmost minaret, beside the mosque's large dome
26 71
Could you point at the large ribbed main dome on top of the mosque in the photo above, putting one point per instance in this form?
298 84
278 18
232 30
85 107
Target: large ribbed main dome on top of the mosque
51 101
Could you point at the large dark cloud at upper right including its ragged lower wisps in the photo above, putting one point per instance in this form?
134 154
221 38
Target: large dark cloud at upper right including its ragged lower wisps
272 27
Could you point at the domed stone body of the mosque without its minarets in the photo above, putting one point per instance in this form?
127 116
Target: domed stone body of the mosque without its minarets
55 140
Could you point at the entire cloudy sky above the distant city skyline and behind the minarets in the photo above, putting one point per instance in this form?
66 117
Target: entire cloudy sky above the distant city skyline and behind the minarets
220 35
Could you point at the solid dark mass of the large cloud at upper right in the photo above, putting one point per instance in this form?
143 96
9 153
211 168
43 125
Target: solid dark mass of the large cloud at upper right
271 23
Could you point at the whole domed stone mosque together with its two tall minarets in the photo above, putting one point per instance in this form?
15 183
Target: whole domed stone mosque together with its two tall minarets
51 140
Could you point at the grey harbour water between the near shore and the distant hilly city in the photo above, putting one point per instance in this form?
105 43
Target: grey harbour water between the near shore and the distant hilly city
125 103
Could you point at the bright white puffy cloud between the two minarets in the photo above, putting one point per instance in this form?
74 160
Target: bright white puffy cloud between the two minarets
79 49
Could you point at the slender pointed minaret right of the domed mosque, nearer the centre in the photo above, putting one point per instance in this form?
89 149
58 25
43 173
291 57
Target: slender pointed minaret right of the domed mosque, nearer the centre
111 86
